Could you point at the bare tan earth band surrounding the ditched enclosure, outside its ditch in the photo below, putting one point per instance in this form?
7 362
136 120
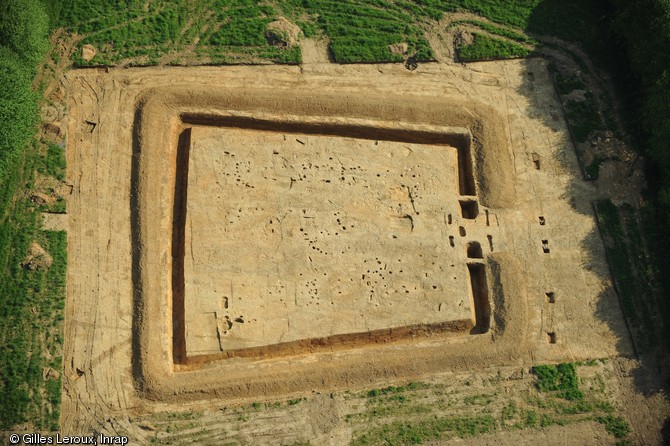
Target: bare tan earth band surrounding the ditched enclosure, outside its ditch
121 218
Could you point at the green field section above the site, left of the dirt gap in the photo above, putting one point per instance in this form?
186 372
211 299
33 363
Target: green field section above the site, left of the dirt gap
216 31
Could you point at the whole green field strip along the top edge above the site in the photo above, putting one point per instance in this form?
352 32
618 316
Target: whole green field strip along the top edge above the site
227 31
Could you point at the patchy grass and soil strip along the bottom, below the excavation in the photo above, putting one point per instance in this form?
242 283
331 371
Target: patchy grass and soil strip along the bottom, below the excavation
417 413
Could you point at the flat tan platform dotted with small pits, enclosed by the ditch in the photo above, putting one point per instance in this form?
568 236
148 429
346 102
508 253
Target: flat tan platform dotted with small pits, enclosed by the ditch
291 236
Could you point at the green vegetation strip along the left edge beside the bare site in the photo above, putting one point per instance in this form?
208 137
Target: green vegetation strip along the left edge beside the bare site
31 302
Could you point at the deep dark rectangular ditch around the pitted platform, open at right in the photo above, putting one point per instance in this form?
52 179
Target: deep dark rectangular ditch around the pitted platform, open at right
466 186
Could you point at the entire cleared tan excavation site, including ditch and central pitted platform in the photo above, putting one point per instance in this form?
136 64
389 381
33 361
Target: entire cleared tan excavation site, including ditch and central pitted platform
247 233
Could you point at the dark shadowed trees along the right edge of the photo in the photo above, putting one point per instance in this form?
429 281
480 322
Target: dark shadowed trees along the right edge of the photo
645 29
